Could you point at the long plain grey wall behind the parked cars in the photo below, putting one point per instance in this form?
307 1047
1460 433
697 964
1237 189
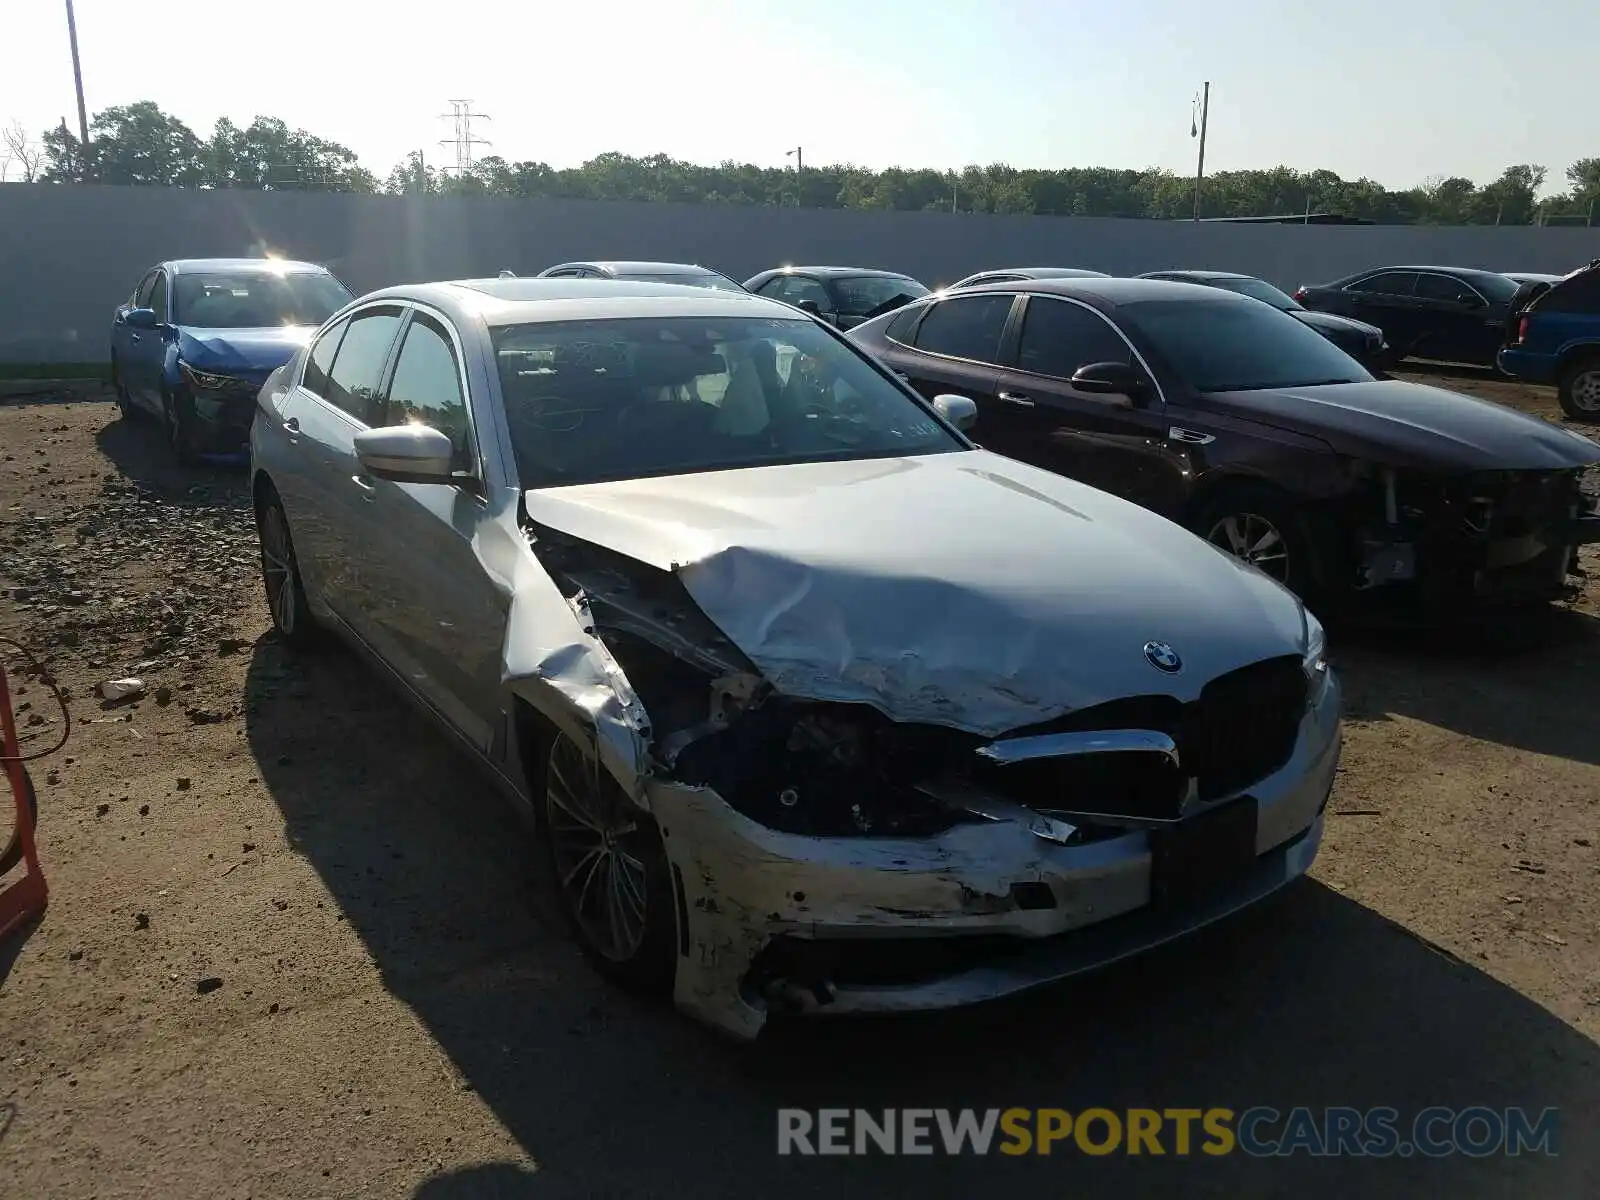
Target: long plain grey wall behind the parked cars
70 255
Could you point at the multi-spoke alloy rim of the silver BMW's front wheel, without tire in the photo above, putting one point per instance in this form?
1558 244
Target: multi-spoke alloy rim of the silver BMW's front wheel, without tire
598 852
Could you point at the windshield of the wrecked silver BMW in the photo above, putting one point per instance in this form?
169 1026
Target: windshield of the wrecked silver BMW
668 396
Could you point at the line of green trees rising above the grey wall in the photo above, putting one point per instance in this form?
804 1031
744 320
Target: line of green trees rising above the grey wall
143 145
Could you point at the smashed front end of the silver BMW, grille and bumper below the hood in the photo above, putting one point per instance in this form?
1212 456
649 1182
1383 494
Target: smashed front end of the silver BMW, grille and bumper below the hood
828 858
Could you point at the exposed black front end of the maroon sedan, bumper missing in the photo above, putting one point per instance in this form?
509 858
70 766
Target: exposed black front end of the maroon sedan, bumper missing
1490 537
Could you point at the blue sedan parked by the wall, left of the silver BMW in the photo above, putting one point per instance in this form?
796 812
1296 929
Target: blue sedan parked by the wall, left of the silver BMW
198 338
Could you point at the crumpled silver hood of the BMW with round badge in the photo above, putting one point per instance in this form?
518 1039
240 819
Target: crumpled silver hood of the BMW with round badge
958 590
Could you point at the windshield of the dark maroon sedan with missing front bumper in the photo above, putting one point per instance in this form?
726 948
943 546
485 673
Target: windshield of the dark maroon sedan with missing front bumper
1225 346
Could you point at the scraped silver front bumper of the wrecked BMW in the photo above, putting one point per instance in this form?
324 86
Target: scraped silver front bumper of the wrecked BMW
982 911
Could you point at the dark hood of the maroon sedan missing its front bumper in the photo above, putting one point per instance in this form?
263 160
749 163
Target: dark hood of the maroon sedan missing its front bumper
1414 425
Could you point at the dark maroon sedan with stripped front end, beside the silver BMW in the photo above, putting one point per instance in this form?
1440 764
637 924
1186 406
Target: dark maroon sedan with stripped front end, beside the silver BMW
1258 434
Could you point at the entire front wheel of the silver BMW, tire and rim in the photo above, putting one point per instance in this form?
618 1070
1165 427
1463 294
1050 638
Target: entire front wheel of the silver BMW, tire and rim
612 871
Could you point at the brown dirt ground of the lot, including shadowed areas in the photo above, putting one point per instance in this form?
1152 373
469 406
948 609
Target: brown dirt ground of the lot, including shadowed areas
295 950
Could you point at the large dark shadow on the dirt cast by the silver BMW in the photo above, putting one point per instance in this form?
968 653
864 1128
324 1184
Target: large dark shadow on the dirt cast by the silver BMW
1308 1001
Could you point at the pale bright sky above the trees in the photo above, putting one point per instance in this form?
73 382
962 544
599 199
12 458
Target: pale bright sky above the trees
1398 90
